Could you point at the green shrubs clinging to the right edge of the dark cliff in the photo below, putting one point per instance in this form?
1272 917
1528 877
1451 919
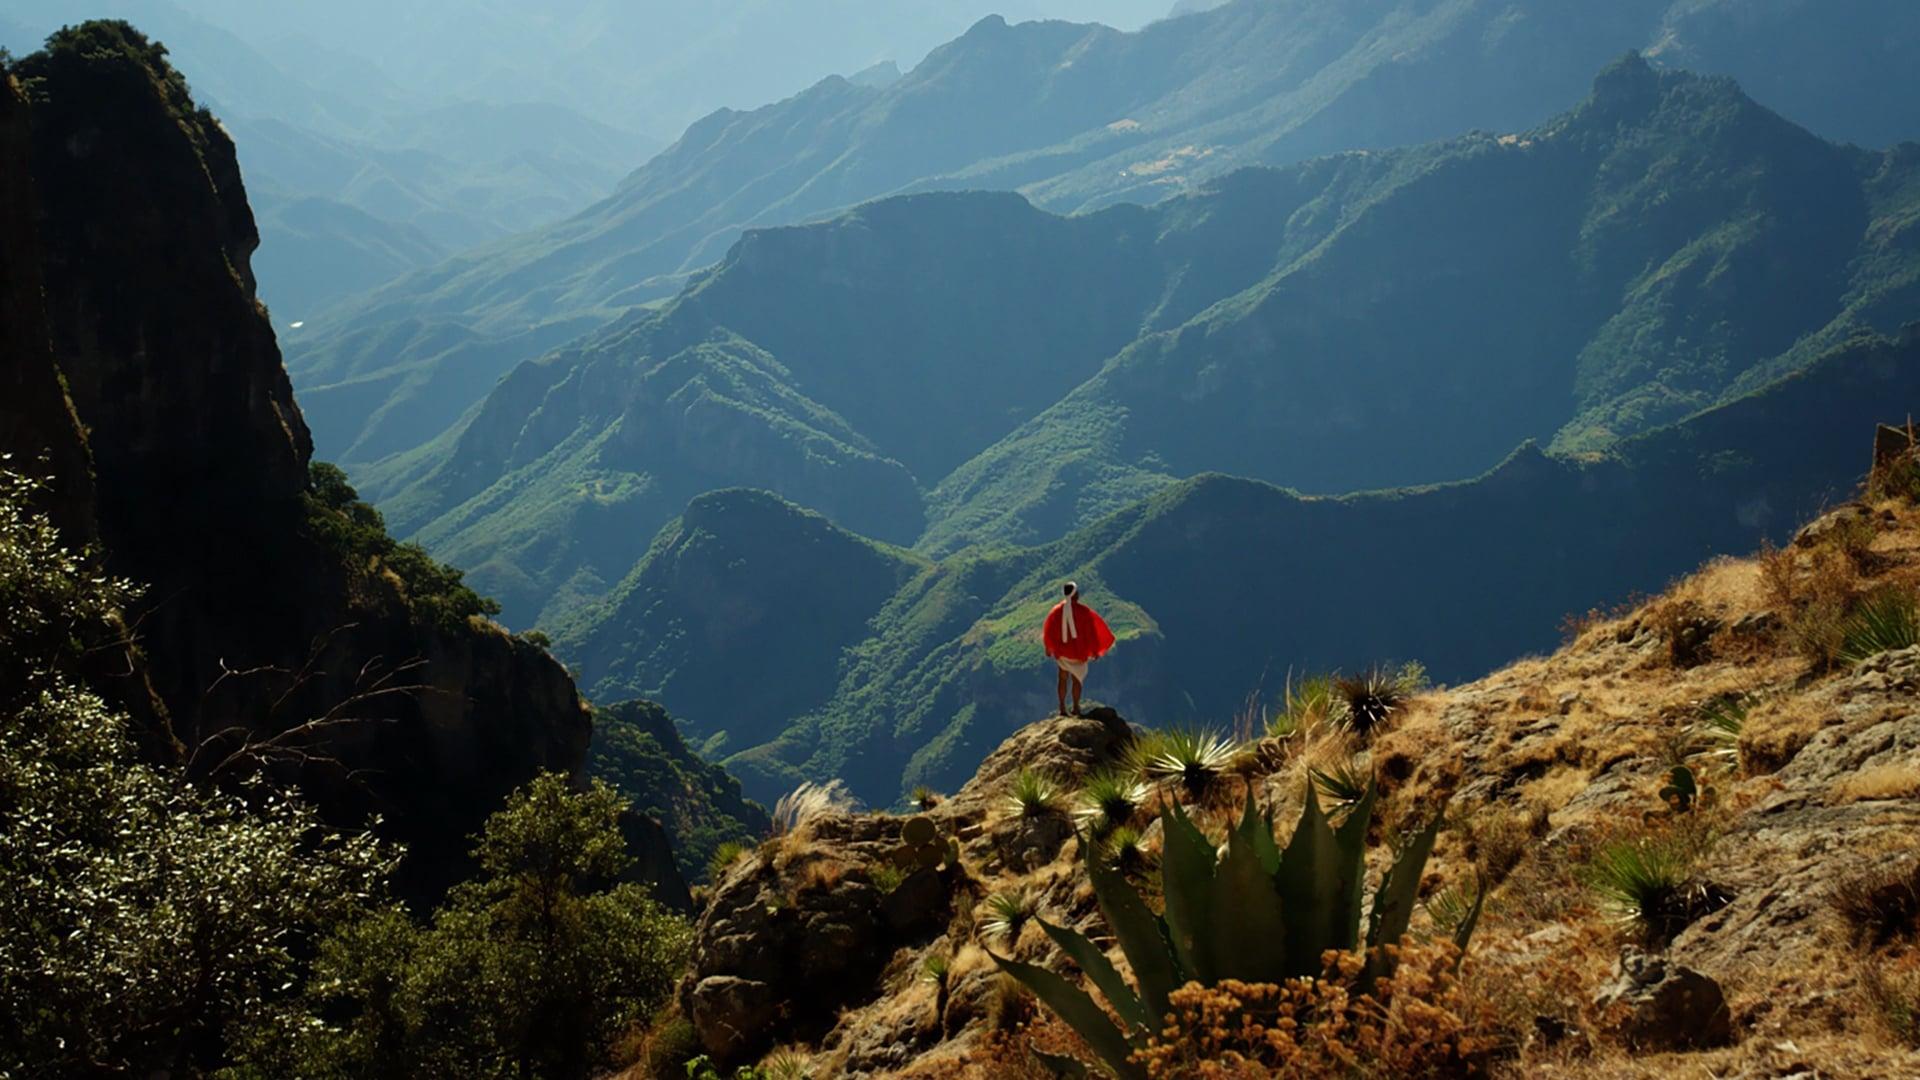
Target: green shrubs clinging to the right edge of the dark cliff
358 535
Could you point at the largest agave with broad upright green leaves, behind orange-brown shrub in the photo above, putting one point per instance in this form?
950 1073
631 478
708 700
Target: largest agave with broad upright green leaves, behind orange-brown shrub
1257 914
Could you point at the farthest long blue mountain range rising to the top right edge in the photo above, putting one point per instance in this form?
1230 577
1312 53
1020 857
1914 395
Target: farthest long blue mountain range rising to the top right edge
1074 118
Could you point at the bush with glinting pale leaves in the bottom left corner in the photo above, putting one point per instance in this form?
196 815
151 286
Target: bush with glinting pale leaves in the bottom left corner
143 920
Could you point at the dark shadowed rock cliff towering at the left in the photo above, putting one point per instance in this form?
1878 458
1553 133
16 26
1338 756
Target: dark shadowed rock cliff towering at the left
256 624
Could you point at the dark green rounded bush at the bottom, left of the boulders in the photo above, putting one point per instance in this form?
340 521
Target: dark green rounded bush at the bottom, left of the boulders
537 968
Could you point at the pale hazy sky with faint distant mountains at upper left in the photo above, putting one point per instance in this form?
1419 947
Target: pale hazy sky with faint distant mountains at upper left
381 139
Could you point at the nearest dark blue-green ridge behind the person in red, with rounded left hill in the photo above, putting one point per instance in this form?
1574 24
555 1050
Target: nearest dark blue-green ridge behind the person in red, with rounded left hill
784 645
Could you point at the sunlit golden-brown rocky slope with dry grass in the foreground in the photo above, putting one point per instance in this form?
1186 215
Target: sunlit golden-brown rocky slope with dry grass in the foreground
1539 766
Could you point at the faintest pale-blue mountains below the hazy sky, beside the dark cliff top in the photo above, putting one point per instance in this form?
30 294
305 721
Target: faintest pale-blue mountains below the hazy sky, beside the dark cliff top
354 178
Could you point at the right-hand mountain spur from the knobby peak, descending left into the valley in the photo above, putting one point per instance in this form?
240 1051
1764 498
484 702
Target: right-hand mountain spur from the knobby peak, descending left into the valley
1614 270
